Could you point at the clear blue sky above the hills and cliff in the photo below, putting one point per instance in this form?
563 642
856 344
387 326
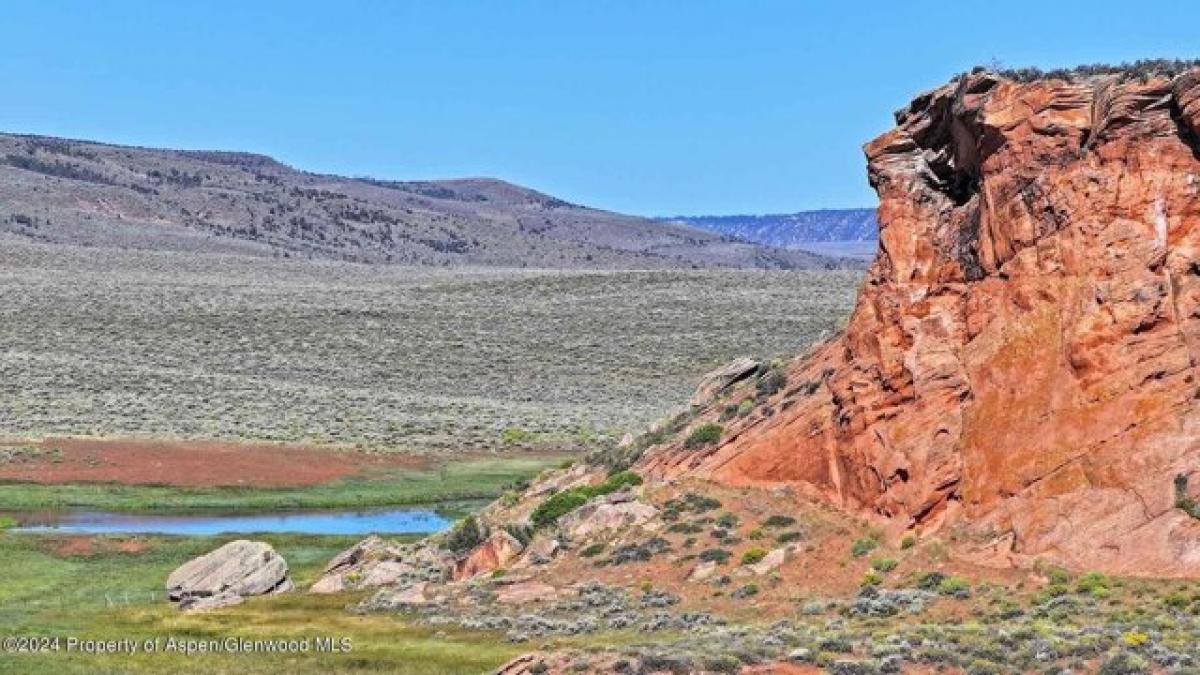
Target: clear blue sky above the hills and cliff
655 107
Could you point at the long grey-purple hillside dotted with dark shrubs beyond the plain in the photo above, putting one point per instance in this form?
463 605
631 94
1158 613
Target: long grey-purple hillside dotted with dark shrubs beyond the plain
91 194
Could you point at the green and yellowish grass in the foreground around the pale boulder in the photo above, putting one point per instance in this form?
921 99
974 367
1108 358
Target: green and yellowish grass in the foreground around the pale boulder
116 592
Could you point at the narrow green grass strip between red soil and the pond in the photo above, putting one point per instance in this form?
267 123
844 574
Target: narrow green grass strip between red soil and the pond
454 482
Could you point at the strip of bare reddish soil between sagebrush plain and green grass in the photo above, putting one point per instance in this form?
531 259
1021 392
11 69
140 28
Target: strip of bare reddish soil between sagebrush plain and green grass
194 464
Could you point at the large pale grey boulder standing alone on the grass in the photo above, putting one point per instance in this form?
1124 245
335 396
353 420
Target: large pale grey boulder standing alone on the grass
229 575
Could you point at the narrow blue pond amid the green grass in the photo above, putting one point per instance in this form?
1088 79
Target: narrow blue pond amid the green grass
393 522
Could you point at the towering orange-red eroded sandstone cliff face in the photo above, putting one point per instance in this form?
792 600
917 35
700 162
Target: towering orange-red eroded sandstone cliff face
1023 354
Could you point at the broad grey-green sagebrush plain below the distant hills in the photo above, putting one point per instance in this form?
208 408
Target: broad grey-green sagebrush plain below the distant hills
203 347
